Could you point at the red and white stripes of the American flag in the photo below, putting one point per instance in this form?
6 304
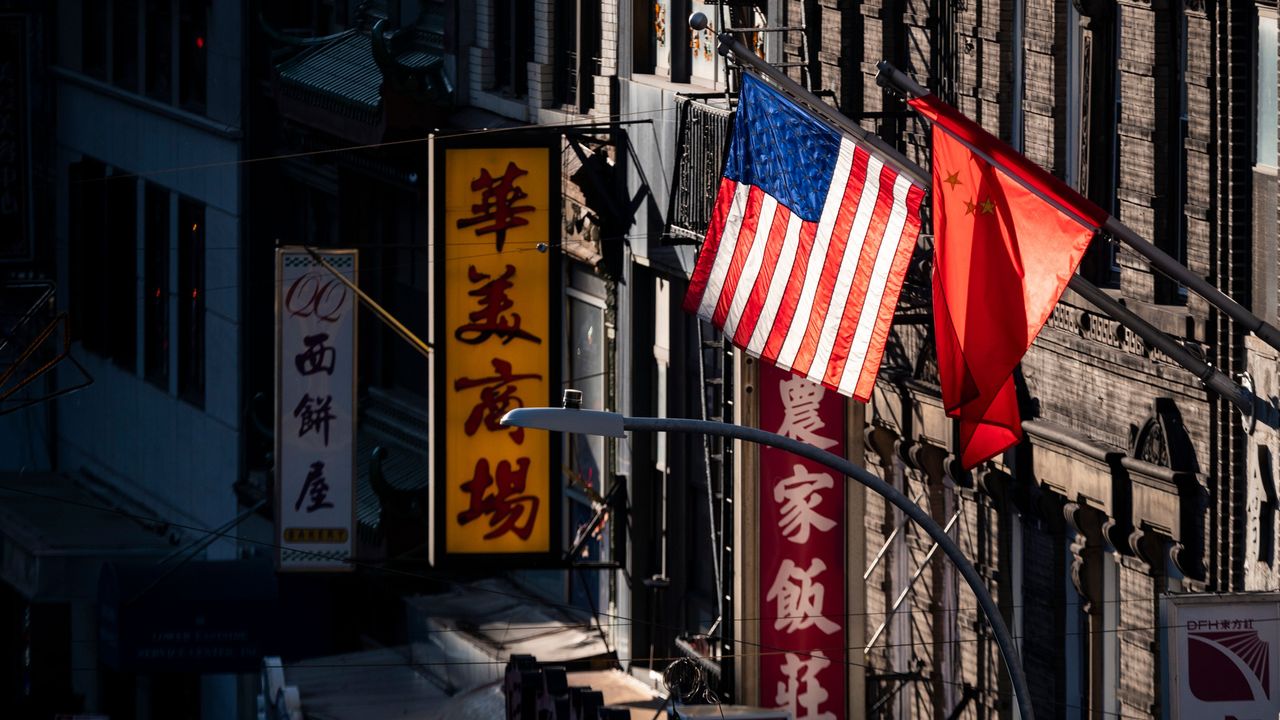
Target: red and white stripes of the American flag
812 298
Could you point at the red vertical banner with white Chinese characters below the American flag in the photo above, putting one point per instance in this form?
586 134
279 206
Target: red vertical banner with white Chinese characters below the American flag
802 536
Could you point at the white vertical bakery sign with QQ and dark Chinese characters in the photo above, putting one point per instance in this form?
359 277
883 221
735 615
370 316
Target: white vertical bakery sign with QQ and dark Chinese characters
316 411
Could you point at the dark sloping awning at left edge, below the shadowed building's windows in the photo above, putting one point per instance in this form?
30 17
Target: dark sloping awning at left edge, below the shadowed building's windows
56 536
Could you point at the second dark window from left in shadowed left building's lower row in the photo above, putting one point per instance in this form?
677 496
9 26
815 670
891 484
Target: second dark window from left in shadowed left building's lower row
121 270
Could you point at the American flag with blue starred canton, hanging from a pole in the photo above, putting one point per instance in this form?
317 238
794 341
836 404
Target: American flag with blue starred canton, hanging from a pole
808 245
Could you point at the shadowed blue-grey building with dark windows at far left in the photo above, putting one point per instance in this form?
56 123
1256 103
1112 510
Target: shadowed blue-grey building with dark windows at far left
136 135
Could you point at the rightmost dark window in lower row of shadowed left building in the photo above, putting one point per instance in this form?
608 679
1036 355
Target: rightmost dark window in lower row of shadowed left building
191 302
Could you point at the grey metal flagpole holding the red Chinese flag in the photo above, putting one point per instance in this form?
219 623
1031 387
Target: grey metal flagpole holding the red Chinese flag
1162 261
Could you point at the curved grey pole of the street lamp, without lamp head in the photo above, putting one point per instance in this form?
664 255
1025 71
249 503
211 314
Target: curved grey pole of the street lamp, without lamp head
1004 640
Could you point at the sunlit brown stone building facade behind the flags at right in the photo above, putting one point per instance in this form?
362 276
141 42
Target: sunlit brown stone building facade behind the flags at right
1133 480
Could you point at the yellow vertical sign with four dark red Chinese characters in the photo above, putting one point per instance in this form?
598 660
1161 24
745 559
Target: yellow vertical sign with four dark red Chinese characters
496 332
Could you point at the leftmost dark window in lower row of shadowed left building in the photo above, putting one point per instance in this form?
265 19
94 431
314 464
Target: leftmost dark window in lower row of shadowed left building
86 220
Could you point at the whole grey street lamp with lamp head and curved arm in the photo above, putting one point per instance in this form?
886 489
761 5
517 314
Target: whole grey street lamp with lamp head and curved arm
570 420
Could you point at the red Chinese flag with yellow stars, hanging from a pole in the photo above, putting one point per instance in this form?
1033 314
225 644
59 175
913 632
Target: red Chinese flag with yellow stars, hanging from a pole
1003 257
